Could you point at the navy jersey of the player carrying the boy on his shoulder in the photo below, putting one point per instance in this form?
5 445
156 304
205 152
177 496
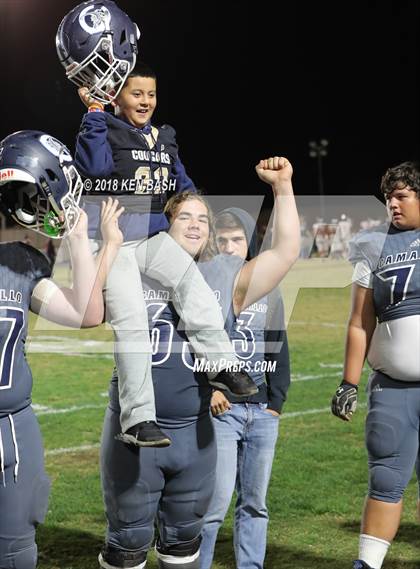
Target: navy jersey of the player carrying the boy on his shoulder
182 395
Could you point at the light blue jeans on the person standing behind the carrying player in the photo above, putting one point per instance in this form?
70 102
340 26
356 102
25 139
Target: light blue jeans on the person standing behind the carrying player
246 439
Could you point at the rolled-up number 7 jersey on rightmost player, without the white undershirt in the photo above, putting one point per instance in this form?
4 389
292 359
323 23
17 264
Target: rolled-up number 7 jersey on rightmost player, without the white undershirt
393 258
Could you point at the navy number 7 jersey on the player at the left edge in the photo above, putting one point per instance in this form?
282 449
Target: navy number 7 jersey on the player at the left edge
22 267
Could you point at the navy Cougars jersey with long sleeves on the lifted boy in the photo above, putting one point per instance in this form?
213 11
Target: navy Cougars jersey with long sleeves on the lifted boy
120 159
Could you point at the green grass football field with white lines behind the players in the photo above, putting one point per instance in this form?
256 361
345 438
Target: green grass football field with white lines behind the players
319 476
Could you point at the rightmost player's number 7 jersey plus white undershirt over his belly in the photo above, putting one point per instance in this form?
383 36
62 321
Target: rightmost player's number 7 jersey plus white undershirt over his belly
391 261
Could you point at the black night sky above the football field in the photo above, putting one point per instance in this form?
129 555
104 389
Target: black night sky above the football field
240 83
